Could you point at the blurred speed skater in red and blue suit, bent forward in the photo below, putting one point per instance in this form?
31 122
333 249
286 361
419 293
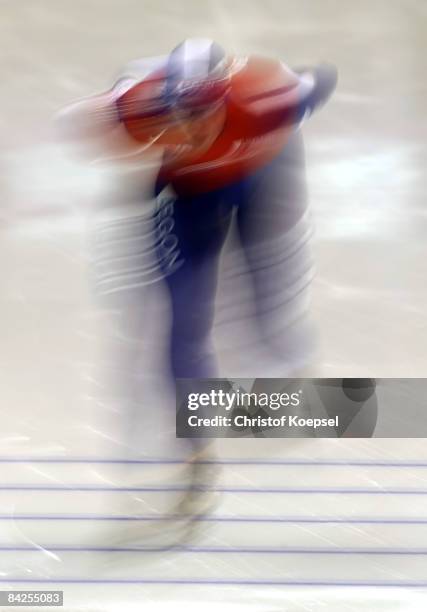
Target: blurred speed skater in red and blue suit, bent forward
228 130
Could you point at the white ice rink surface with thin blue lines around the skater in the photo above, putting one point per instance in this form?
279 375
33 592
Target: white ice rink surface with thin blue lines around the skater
300 524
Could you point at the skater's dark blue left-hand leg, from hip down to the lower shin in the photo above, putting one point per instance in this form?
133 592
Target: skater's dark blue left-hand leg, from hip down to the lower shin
197 227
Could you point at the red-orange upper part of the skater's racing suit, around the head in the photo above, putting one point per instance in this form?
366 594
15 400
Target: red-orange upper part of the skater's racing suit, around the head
261 106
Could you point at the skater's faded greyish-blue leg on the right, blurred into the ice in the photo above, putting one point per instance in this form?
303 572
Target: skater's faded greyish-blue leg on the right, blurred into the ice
274 231
